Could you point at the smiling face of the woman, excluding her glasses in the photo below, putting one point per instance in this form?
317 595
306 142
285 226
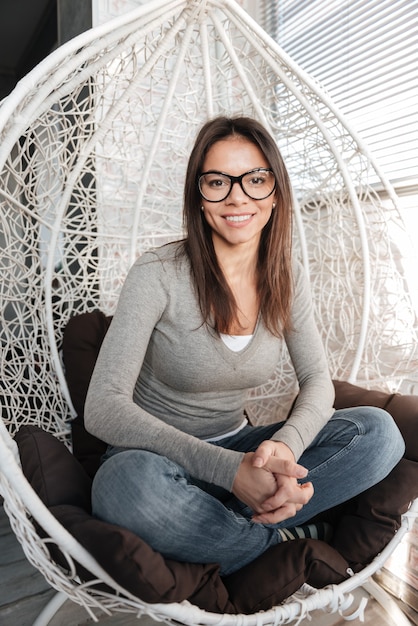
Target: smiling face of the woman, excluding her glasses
237 220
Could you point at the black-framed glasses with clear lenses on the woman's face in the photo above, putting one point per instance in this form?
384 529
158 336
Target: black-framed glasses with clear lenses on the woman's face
257 184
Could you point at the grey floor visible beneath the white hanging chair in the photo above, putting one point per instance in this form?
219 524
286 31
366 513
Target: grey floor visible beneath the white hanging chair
24 592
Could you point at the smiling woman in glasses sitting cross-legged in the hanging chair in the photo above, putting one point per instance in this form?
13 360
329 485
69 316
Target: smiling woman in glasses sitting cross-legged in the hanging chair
198 323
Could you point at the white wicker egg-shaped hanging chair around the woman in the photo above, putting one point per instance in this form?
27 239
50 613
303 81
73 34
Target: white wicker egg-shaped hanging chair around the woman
93 148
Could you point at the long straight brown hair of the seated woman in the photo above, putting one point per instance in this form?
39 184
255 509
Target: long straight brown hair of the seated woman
274 272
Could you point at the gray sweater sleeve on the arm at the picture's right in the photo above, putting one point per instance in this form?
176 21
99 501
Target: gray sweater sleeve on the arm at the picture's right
314 405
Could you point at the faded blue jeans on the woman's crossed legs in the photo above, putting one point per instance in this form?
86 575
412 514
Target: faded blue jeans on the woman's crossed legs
188 520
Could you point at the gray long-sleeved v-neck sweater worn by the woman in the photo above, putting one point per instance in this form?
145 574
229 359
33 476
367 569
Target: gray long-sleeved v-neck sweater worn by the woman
165 381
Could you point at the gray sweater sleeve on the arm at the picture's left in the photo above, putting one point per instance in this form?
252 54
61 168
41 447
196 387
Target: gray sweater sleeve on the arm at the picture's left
110 412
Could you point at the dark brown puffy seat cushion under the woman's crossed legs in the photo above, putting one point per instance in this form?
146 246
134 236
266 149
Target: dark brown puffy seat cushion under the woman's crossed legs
363 527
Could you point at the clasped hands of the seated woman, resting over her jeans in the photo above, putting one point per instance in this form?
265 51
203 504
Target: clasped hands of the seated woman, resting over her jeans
267 481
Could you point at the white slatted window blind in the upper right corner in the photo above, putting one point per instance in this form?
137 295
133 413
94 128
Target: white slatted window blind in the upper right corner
365 54
